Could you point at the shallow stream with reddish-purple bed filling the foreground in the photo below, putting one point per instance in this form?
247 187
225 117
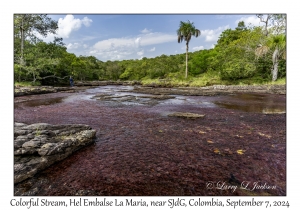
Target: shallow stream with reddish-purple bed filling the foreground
141 149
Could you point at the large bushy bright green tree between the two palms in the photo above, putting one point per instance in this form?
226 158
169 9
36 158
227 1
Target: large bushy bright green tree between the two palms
235 53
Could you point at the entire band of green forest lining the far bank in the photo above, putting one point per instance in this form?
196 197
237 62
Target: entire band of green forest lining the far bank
245 54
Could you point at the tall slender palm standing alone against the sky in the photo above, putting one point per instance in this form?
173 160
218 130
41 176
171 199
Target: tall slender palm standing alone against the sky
185 32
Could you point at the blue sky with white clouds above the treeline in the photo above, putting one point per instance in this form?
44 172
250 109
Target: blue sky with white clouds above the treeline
122 37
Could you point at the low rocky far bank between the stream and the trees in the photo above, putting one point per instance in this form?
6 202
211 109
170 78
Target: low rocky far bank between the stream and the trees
157 90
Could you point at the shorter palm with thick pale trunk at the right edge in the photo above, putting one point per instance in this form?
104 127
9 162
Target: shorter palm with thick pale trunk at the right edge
277 44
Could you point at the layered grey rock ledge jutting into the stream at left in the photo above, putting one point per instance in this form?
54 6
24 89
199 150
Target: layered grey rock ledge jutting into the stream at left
37 146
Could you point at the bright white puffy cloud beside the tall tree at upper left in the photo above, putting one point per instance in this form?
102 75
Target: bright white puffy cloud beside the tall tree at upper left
68 24
